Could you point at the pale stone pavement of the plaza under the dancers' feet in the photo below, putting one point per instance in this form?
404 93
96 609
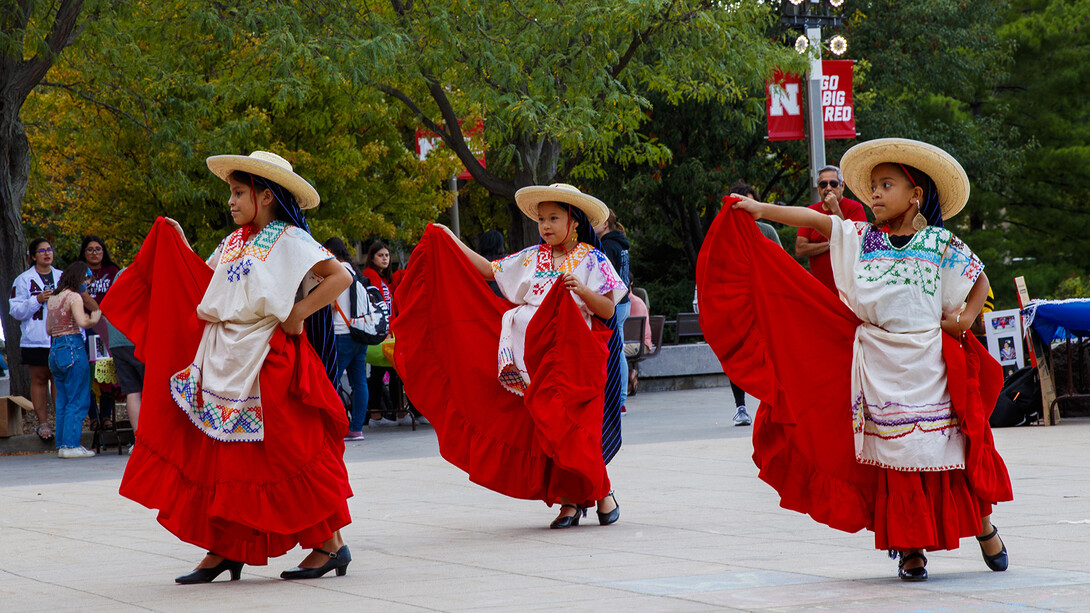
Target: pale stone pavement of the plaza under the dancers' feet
698 533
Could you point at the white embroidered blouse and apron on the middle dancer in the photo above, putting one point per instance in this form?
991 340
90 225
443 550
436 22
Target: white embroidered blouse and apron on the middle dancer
526 279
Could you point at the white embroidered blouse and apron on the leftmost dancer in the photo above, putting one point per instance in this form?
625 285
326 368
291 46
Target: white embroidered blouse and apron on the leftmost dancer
253 290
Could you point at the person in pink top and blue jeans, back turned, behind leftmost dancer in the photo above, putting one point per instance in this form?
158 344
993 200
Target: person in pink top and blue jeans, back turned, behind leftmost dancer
70 309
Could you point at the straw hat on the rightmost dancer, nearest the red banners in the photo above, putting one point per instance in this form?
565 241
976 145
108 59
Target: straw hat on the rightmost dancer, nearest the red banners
950 178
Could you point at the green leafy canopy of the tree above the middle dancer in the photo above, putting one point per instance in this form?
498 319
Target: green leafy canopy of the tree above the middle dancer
564 87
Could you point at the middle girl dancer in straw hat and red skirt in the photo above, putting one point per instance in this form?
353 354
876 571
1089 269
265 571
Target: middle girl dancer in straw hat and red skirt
524 395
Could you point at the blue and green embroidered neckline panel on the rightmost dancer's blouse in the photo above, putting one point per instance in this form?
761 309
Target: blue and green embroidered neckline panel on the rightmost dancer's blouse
917 263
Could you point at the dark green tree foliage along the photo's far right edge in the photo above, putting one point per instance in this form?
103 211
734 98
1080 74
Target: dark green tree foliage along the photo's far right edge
1047 206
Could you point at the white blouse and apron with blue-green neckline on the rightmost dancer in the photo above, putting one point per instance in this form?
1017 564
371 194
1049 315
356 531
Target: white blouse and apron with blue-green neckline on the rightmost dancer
902 412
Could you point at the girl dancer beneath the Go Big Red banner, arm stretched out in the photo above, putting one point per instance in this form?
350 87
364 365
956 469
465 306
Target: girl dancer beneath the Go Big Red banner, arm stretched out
875 411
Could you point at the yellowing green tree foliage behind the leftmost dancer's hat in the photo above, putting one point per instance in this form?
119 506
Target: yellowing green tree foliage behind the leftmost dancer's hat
126 125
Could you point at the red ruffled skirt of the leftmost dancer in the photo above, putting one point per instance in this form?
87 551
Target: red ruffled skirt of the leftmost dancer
245 501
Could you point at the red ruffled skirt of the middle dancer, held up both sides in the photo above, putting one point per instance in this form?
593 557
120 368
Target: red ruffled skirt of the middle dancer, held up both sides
546 446
